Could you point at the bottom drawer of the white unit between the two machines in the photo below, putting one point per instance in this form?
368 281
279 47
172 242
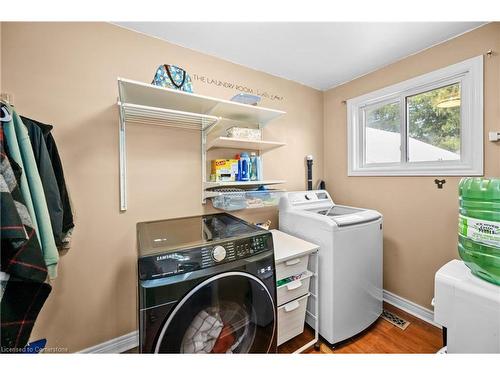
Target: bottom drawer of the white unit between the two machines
291 318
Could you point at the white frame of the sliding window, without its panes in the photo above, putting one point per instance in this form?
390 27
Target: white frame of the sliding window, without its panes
469 74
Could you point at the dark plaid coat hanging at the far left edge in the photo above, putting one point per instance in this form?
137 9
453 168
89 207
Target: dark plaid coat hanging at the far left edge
21 257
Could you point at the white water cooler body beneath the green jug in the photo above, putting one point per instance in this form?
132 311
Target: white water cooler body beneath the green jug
469 308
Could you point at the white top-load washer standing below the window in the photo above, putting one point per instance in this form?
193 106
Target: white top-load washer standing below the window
350 259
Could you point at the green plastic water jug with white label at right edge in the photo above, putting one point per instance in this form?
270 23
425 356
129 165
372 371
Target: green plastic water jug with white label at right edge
479 227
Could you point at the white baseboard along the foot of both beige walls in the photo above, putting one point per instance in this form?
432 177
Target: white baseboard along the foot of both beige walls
131 340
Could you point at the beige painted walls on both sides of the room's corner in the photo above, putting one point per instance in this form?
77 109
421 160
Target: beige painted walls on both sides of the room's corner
65 74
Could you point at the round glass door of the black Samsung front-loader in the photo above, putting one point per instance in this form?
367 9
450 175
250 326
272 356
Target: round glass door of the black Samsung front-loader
232 312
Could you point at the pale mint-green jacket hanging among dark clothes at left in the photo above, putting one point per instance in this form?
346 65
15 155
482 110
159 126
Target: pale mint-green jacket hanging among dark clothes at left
30 169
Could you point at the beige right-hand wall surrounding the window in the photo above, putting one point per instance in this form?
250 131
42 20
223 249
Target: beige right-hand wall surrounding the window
420 232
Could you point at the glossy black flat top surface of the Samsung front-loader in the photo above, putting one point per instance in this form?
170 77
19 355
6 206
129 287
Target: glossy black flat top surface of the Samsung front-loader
162 236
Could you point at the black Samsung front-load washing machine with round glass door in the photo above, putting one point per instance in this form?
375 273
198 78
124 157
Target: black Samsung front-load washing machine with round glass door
206 285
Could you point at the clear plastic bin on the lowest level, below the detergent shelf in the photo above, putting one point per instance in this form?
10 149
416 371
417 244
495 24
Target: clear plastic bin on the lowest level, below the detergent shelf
232 201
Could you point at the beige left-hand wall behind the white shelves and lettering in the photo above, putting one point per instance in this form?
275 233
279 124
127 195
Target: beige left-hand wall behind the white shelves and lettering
65 74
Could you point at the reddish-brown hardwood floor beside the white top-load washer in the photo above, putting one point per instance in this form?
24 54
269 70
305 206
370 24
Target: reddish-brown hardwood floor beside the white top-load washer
381 337
